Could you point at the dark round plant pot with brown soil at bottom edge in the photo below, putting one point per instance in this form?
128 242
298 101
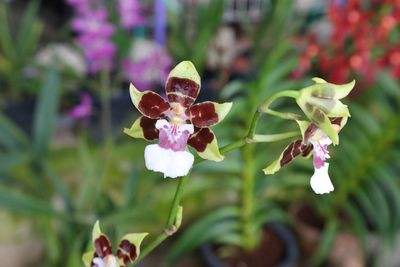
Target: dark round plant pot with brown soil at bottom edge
278 248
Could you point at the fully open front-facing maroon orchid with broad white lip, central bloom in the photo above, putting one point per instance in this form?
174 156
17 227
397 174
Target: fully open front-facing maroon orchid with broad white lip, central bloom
177 122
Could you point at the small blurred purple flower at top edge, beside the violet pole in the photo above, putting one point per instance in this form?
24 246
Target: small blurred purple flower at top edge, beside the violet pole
130 13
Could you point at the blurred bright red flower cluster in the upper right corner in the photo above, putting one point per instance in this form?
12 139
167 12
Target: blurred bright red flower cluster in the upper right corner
362 41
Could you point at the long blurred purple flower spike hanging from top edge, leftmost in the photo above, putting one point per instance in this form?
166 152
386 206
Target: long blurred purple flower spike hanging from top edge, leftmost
94 33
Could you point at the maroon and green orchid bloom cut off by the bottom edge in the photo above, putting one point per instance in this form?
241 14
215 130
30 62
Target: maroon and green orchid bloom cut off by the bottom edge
102 256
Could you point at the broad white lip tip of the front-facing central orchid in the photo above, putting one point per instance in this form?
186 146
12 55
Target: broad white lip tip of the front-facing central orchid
171 163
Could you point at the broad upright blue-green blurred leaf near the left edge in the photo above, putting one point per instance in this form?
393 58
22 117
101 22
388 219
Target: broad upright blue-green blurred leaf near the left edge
46 113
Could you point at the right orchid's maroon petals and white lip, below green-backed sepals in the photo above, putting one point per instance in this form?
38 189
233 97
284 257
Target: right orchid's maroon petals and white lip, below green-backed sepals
316 141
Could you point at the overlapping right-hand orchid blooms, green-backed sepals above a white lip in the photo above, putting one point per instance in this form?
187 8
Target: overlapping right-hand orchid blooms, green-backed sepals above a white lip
321 104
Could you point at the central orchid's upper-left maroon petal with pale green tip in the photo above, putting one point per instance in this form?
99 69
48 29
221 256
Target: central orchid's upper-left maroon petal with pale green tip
150 104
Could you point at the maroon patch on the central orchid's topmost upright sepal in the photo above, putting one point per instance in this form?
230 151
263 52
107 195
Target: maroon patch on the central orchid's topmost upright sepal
181 90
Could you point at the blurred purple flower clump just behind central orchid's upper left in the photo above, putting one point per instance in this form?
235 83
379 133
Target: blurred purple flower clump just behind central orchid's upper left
150 69
